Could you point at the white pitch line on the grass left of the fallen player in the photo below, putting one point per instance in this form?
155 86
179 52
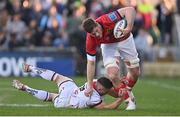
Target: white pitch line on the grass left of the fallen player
23 105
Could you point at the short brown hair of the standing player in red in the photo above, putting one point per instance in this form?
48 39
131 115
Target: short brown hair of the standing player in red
89 24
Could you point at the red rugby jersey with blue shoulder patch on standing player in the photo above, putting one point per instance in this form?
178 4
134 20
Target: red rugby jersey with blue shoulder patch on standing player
107 21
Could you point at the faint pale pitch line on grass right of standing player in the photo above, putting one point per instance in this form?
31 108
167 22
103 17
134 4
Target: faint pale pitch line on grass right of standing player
167 86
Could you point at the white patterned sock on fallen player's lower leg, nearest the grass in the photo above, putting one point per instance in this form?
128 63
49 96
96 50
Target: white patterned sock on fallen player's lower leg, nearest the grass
39 94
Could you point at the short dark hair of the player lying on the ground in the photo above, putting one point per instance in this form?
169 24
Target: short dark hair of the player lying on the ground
105 82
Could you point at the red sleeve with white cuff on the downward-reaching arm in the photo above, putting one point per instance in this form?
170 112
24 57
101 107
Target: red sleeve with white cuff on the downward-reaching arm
91 48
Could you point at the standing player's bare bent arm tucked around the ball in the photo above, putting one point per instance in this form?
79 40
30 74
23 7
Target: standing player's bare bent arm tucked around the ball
129 13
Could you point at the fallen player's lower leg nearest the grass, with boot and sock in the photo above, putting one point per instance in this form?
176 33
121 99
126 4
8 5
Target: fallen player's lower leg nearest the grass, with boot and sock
39 94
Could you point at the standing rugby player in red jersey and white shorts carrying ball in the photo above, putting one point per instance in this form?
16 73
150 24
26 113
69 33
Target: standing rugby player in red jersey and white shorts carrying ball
100 33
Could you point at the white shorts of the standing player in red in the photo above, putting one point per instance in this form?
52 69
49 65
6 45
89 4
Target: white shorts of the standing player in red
125 49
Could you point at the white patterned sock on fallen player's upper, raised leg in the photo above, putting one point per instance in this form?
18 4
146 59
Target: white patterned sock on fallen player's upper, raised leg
44 73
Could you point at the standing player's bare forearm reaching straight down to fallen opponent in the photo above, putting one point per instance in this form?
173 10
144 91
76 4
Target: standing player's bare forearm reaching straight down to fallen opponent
90 71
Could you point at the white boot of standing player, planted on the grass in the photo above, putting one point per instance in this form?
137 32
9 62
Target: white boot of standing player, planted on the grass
131 104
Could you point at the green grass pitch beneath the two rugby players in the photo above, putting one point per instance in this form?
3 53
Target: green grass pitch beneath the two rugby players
154 96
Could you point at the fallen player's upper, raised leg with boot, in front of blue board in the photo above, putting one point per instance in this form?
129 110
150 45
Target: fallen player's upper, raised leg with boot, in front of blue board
46 74
